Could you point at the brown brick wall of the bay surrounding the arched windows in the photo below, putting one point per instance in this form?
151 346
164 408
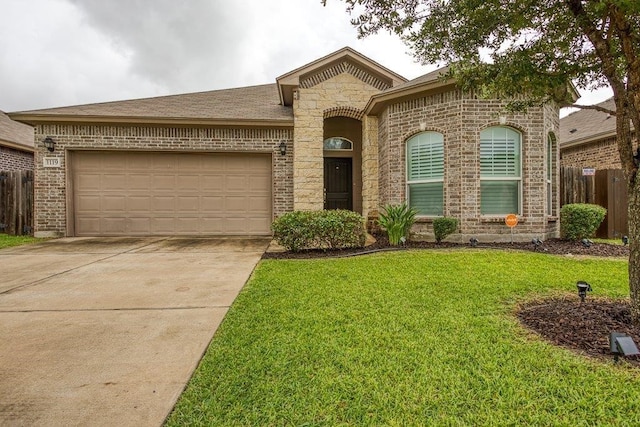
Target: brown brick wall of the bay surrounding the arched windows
460 117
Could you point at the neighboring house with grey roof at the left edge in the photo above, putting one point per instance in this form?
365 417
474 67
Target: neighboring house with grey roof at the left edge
16 145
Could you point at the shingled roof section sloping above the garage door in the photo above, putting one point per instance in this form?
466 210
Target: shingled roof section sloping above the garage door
248 106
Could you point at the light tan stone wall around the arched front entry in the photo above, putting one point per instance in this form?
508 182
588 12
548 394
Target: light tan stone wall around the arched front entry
342 90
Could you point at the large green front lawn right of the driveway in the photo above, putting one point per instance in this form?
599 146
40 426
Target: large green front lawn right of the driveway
406 338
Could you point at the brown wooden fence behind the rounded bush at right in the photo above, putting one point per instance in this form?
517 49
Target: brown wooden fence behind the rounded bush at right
606 188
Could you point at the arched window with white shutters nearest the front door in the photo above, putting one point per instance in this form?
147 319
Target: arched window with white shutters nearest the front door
425 173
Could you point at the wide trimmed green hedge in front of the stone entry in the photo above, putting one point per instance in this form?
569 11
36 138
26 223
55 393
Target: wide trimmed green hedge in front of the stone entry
331 229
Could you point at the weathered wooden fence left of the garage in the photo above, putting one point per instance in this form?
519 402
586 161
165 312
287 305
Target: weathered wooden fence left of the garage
16 202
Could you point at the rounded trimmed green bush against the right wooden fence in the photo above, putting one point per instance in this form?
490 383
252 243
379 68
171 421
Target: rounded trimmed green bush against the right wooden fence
580 220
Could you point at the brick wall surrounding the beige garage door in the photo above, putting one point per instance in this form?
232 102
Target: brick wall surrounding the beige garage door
50 215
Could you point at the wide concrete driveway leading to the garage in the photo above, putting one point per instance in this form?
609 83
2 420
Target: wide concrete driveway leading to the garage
107 331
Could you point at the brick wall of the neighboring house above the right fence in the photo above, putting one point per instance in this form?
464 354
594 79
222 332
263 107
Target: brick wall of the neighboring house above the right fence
601 154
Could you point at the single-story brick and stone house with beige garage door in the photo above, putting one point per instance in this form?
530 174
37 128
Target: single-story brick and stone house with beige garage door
340 132
